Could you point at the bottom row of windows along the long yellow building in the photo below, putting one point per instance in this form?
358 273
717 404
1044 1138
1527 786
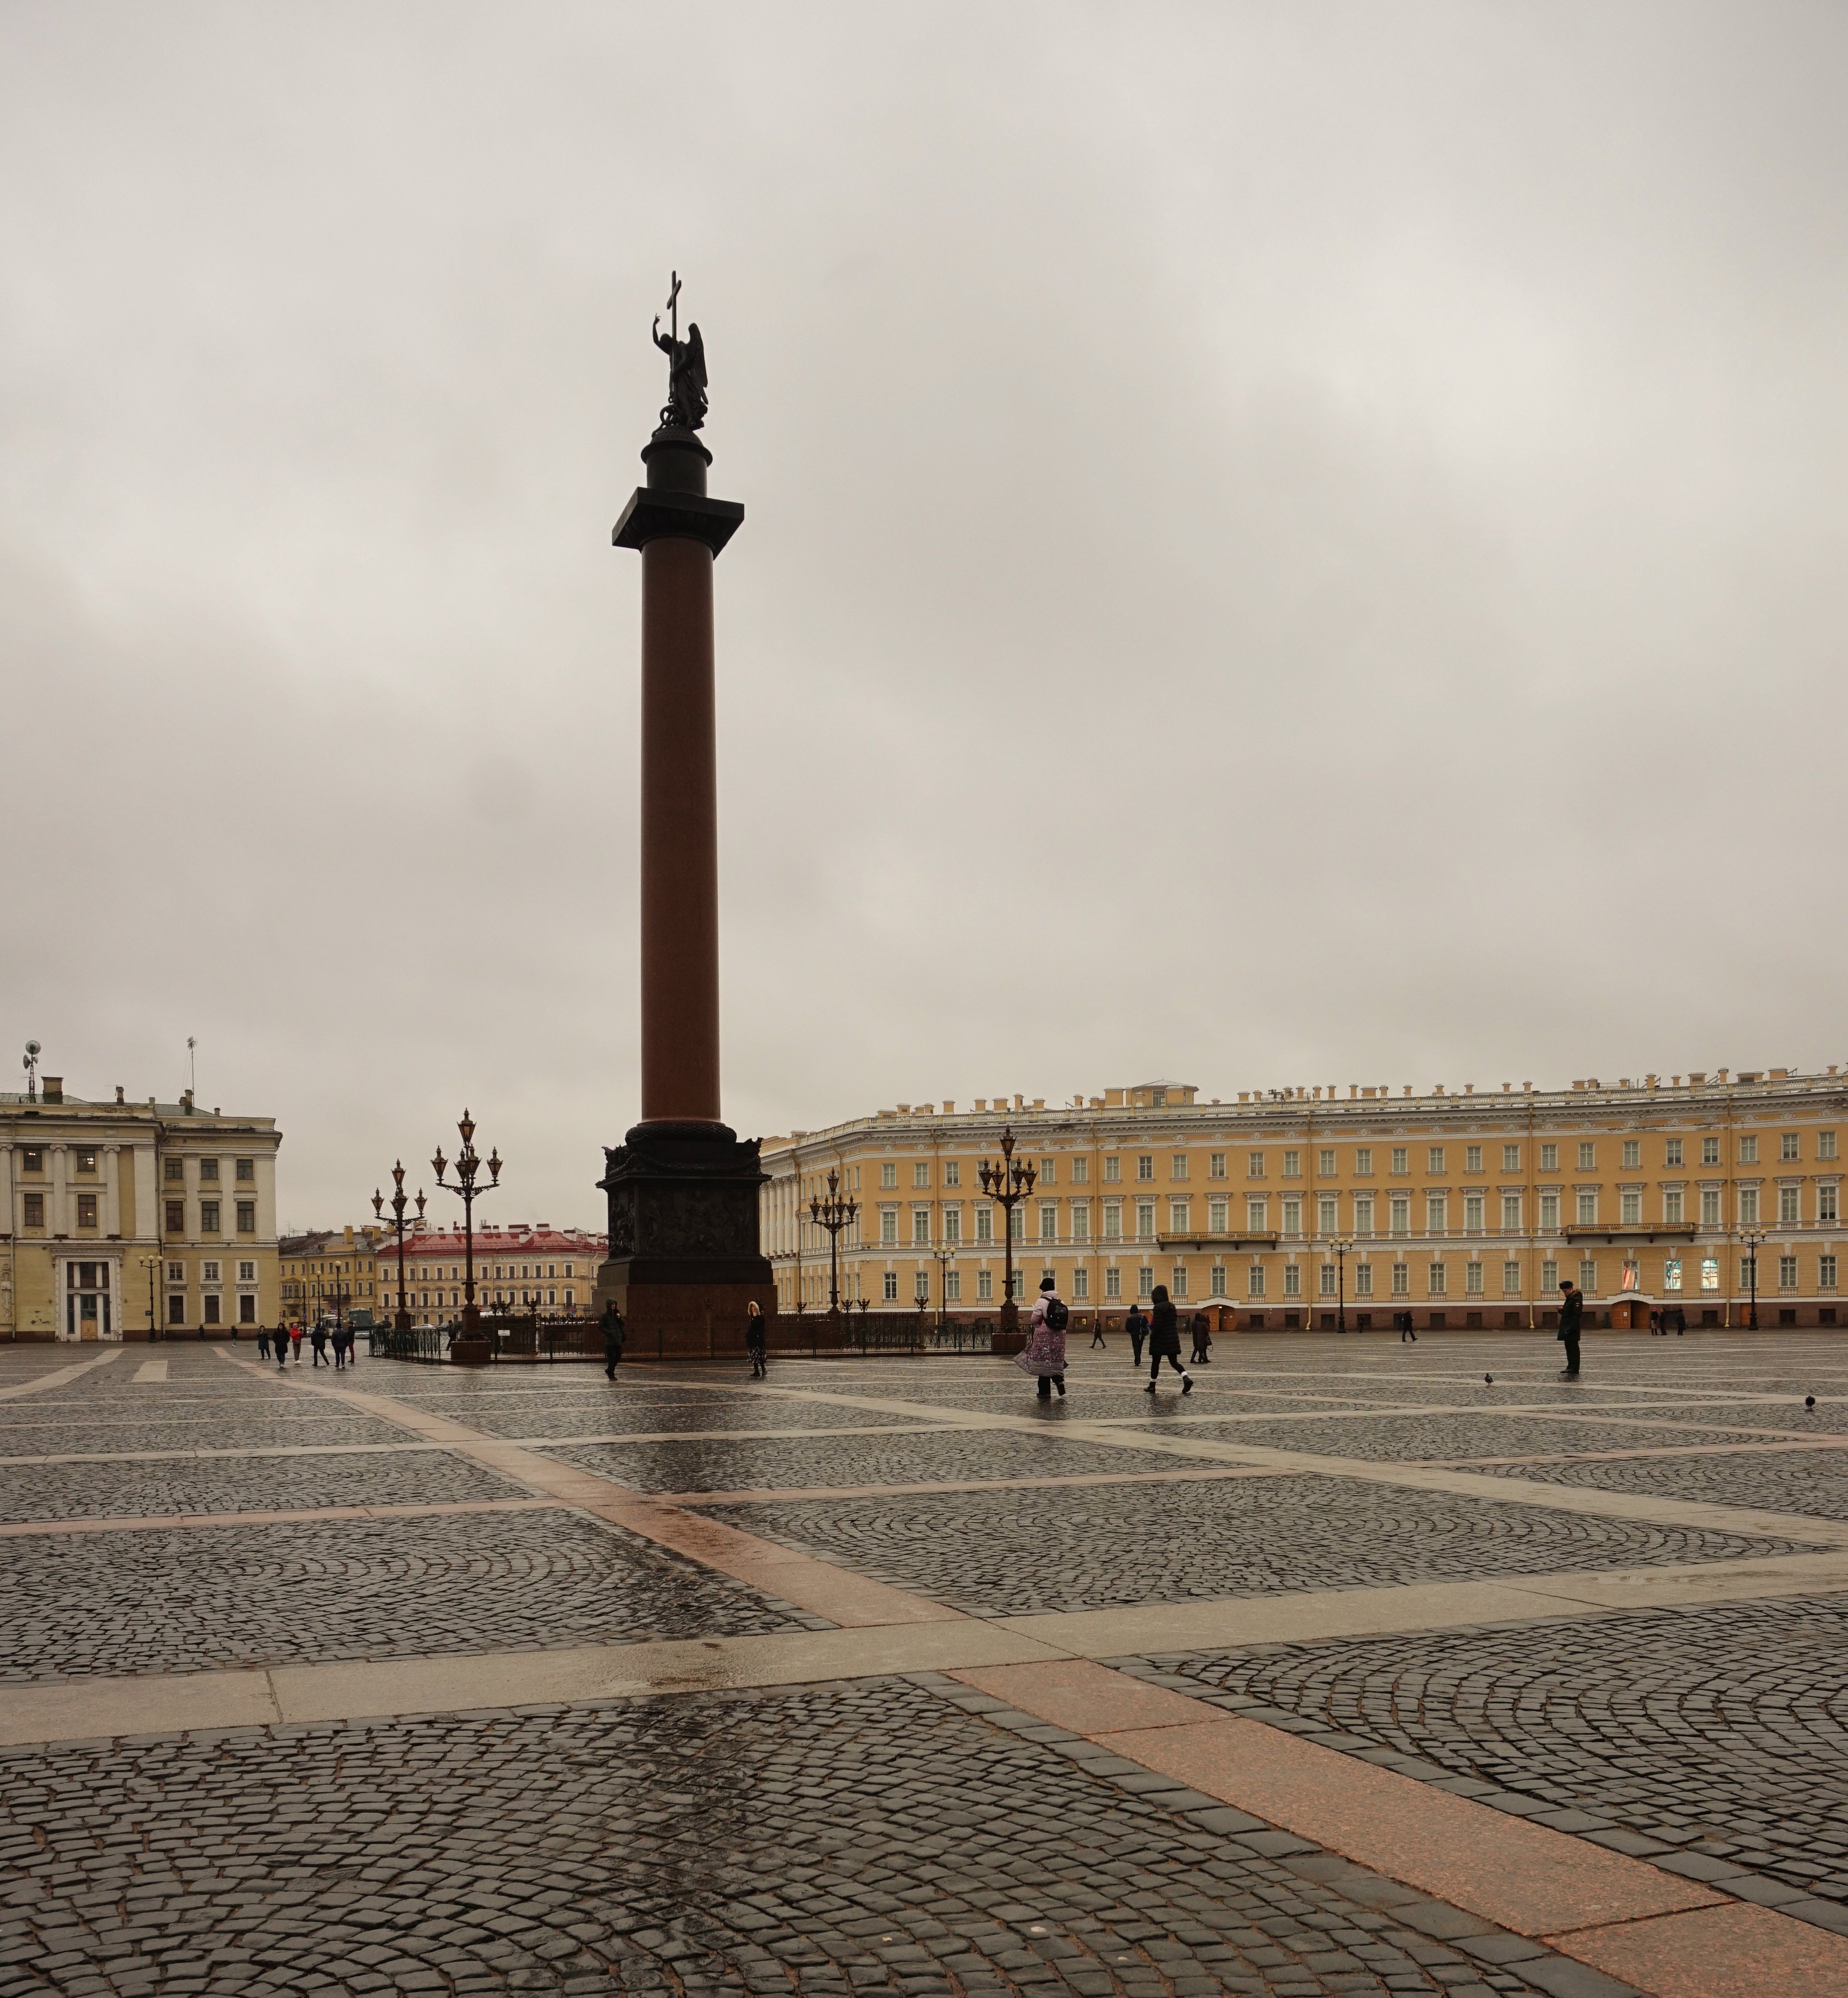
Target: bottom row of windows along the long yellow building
1360 1282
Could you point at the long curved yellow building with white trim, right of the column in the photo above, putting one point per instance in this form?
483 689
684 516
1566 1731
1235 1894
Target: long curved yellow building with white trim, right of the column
1284 1208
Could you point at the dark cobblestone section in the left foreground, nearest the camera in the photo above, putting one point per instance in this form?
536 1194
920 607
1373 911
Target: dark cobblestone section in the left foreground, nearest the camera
840 1839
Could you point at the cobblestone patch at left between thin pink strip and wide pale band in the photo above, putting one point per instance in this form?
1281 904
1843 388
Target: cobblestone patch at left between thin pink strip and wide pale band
293 1593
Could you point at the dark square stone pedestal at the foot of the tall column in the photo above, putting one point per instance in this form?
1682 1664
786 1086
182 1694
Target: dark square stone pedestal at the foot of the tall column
684 1260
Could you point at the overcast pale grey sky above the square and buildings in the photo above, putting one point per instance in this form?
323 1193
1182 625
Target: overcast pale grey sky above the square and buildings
1286 544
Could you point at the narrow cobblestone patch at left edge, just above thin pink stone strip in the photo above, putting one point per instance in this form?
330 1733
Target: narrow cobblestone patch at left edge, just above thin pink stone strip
243 1486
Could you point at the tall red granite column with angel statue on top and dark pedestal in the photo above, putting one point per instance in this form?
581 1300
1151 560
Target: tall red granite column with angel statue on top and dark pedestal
684 1248
